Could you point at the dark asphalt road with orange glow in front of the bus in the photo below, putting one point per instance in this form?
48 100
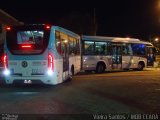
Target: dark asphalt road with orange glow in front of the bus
111 92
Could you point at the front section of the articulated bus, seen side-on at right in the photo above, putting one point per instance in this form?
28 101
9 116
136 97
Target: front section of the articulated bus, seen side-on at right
107 53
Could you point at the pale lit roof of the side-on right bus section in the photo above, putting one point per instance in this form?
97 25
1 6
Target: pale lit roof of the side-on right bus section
113 39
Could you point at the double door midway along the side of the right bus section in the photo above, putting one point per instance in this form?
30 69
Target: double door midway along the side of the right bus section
116 56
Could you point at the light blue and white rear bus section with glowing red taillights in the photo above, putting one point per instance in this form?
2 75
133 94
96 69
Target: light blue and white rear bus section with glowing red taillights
40 54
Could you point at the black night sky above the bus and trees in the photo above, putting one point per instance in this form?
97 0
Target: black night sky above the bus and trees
121 18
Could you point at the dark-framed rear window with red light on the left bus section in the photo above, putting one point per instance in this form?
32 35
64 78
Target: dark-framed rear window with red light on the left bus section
26 41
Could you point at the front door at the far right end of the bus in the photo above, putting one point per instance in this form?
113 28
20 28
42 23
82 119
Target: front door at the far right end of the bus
150 56
